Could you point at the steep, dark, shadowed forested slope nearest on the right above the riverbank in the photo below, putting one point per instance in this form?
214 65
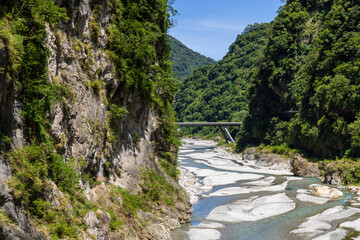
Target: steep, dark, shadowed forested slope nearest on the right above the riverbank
310 65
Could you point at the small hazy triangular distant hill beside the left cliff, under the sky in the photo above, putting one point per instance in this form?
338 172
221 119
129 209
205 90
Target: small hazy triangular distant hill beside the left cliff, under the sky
185 60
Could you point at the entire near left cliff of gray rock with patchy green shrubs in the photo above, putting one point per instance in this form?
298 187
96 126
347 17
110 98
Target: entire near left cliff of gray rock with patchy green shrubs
88 146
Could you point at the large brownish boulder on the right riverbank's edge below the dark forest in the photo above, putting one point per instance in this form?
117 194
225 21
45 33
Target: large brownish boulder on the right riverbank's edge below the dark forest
301 167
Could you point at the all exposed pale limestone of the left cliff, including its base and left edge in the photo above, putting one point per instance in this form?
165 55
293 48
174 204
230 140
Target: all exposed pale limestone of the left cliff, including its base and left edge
78 60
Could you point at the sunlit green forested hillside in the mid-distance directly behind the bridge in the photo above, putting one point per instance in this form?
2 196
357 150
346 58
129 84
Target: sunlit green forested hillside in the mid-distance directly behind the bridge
218 92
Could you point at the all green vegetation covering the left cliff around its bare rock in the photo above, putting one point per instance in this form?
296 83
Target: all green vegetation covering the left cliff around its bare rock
138 47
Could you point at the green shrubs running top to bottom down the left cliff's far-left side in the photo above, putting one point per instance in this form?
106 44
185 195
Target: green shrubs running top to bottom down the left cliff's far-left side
23 30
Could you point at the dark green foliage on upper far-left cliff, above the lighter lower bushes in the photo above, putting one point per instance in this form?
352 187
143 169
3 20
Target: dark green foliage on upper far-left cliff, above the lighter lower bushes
22 27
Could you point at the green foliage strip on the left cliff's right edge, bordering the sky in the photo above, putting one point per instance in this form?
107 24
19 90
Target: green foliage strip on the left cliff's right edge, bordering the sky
139 47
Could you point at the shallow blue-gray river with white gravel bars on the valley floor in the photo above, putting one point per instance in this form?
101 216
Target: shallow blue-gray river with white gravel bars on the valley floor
240 200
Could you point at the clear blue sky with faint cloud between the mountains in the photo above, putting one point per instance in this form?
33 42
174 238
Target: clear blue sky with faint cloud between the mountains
210 26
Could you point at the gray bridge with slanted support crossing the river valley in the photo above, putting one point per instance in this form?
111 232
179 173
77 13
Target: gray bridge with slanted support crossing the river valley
221 125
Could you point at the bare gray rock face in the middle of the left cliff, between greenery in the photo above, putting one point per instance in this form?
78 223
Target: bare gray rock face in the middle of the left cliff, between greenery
80 123
